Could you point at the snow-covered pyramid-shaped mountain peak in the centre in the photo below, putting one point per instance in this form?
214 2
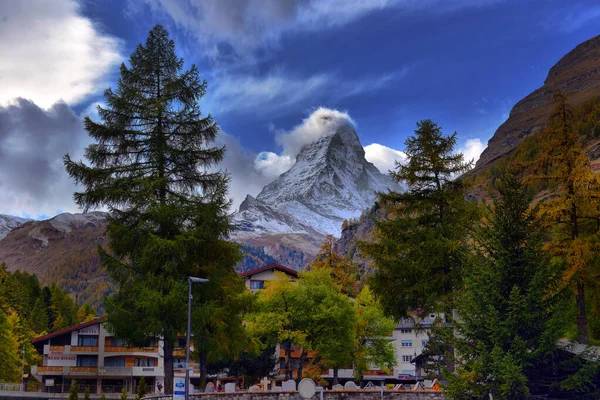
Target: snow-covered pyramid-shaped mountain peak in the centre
330 181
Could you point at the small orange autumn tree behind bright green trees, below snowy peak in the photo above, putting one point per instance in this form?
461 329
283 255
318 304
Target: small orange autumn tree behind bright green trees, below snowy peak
343 271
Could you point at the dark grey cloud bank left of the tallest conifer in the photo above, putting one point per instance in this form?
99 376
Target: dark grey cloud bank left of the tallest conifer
33 180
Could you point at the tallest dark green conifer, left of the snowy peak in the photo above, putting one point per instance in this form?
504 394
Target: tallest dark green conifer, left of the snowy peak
168 214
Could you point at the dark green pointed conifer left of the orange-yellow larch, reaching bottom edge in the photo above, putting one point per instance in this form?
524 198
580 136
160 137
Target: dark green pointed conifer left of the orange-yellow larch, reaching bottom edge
512 309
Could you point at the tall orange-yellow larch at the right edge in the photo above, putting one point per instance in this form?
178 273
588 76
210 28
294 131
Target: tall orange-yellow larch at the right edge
571 208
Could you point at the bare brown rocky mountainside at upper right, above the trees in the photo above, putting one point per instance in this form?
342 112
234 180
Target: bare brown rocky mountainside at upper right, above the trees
577 75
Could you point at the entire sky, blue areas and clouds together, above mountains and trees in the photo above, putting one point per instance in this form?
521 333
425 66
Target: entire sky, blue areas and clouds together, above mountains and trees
269 65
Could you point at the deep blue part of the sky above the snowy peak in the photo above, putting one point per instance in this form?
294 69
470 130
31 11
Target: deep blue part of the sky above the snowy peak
463 66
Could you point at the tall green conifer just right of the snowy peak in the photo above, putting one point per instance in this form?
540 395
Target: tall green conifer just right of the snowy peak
419 250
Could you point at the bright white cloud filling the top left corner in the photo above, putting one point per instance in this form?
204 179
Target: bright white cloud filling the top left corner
51 52
